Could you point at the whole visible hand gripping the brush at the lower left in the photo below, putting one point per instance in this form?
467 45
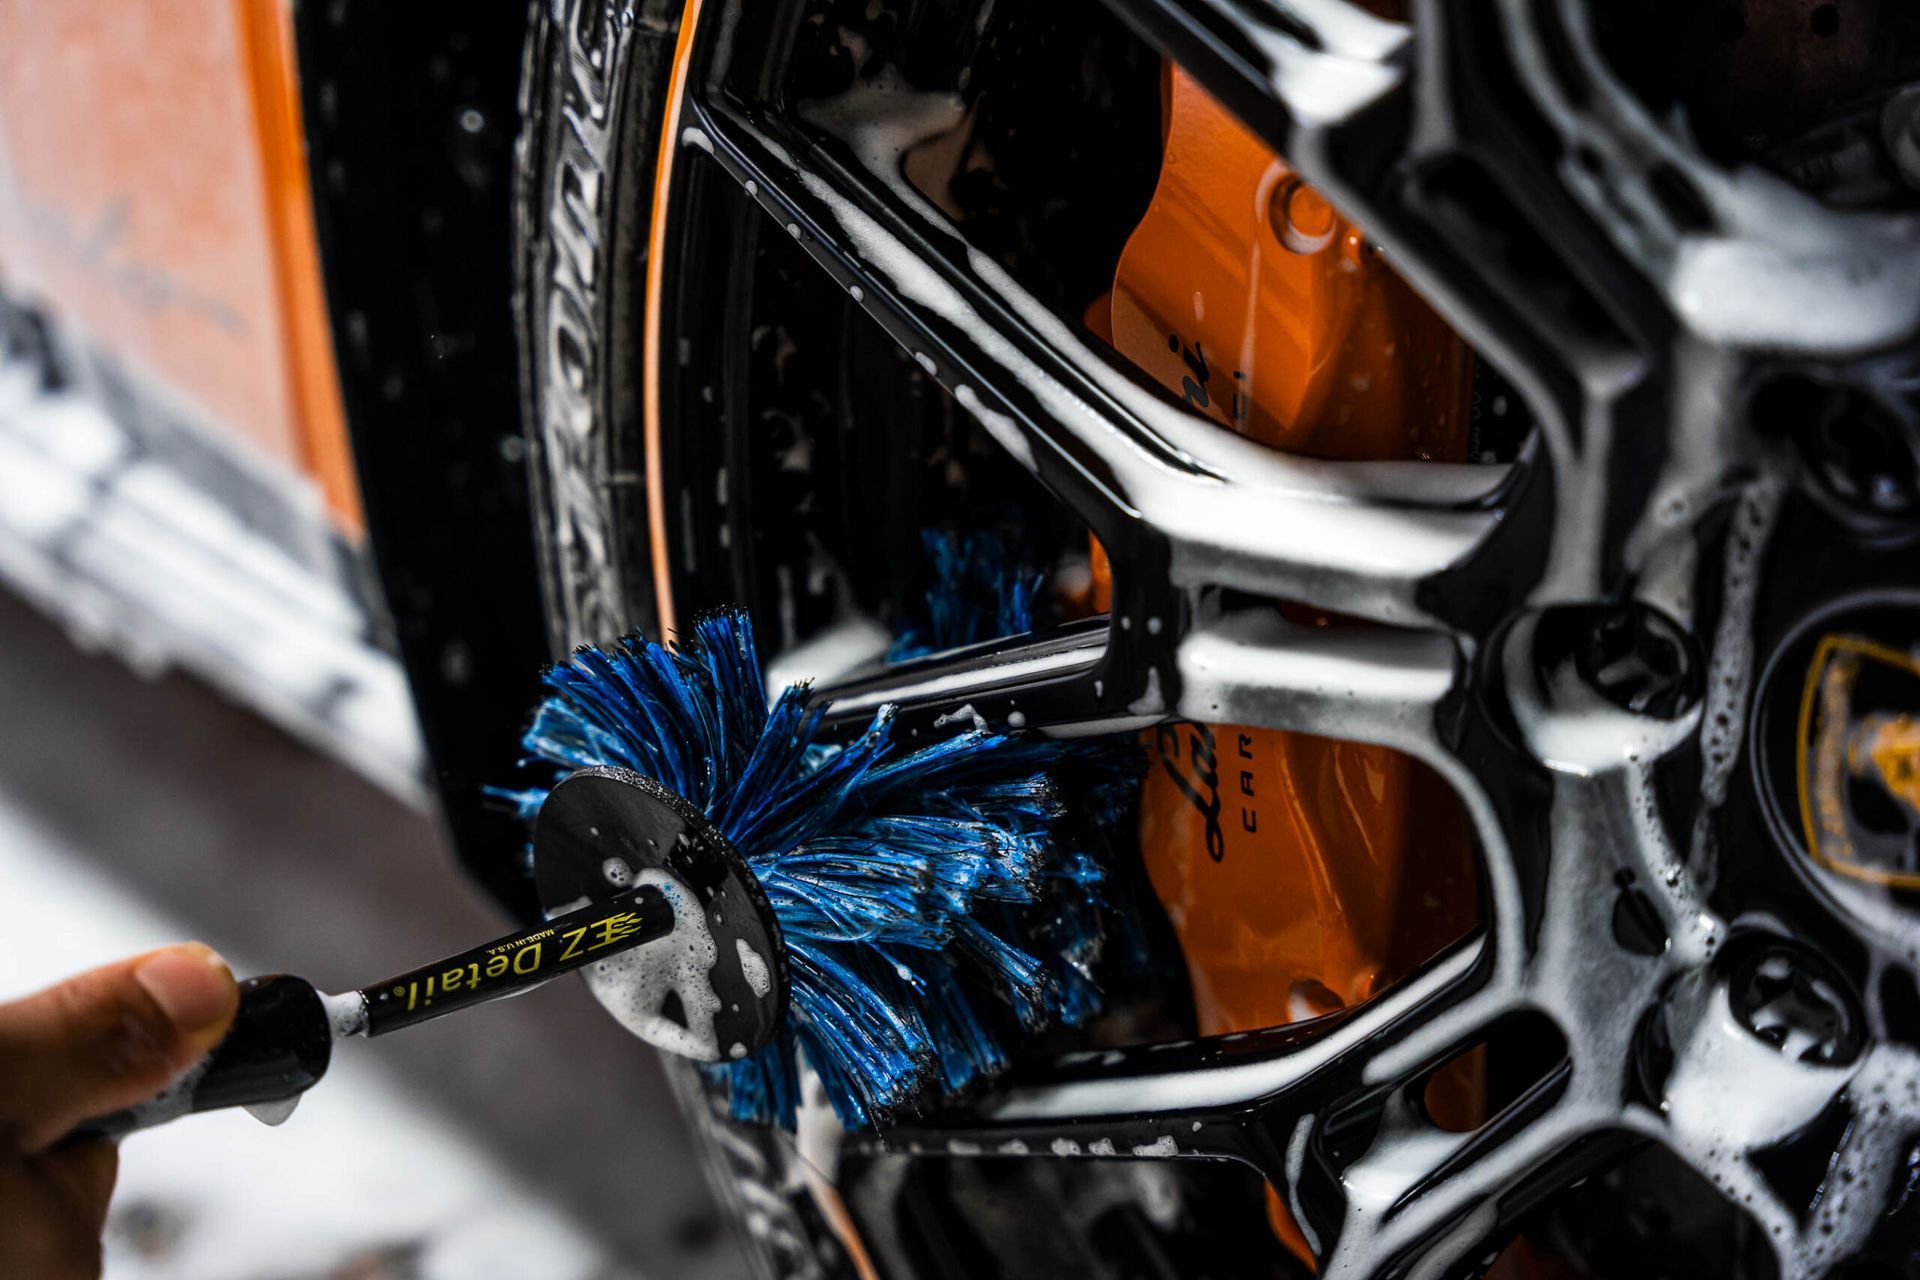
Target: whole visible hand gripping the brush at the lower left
97 1043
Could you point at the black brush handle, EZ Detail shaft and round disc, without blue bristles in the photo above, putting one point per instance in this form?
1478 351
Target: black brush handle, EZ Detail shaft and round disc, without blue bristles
679 909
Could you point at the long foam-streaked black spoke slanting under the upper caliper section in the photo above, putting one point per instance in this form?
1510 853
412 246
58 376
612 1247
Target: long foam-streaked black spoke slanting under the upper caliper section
1358 538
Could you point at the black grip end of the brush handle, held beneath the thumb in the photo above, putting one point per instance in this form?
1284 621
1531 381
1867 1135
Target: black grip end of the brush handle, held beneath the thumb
276 1051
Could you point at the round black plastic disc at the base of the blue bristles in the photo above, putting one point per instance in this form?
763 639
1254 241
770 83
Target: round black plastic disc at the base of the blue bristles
717 987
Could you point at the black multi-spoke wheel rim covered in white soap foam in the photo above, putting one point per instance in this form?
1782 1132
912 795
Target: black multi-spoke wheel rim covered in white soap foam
1572 642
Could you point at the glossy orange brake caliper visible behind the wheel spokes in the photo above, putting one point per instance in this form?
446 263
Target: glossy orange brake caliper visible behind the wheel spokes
1301 874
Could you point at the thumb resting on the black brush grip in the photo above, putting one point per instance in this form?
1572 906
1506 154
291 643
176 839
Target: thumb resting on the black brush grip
108 1039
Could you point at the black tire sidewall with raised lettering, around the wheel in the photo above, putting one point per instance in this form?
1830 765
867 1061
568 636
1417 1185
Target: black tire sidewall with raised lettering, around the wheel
585 174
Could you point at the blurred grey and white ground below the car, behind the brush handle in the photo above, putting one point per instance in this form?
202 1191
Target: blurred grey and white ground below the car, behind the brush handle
529 1139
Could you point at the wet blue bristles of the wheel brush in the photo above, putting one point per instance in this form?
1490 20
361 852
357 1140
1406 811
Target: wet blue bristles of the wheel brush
930 901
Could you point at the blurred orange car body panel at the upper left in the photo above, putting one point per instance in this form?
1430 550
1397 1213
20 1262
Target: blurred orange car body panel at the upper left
155 189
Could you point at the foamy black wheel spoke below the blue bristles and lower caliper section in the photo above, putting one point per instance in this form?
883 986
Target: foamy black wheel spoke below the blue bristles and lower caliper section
1330 1112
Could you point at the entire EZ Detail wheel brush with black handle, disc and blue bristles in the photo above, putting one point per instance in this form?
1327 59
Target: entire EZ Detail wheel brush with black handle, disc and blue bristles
742 893
